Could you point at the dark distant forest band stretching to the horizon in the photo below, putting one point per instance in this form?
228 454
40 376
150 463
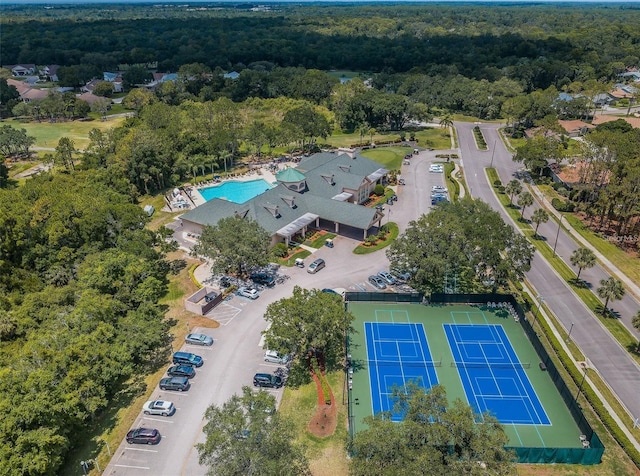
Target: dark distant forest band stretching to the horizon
537 45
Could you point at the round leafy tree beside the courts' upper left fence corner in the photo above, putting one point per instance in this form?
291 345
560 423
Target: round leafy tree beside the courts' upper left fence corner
309 324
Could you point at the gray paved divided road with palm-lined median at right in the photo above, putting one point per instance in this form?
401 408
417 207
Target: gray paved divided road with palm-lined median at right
613 362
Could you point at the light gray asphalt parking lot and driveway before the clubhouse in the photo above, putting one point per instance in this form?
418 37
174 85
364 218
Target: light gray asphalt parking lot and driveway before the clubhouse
236 354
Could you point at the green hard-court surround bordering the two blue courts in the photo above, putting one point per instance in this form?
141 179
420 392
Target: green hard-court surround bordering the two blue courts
563 431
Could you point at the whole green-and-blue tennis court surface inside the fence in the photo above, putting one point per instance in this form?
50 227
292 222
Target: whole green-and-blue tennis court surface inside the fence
480 355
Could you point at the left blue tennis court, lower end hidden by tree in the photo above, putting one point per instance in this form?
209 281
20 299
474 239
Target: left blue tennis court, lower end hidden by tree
396 353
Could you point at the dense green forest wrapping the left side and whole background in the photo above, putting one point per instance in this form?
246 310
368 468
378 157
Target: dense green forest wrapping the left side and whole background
80 276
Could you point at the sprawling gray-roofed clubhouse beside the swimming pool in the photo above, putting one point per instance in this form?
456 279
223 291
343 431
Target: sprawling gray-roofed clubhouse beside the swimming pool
326 191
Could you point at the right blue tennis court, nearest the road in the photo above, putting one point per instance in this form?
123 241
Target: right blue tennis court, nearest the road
493 377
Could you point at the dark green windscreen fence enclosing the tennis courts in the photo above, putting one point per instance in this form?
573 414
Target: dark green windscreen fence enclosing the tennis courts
593 448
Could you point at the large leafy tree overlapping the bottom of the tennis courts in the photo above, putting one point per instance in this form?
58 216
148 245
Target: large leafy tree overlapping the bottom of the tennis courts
446 438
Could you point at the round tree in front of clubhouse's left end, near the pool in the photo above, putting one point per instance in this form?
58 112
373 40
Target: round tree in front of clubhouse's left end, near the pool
235 244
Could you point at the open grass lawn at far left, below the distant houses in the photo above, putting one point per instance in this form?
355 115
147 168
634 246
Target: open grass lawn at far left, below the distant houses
47 134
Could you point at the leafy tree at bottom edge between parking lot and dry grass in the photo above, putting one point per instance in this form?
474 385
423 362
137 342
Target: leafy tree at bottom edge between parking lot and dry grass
246 436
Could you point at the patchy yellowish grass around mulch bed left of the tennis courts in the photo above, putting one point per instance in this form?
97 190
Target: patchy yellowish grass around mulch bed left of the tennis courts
327 456
